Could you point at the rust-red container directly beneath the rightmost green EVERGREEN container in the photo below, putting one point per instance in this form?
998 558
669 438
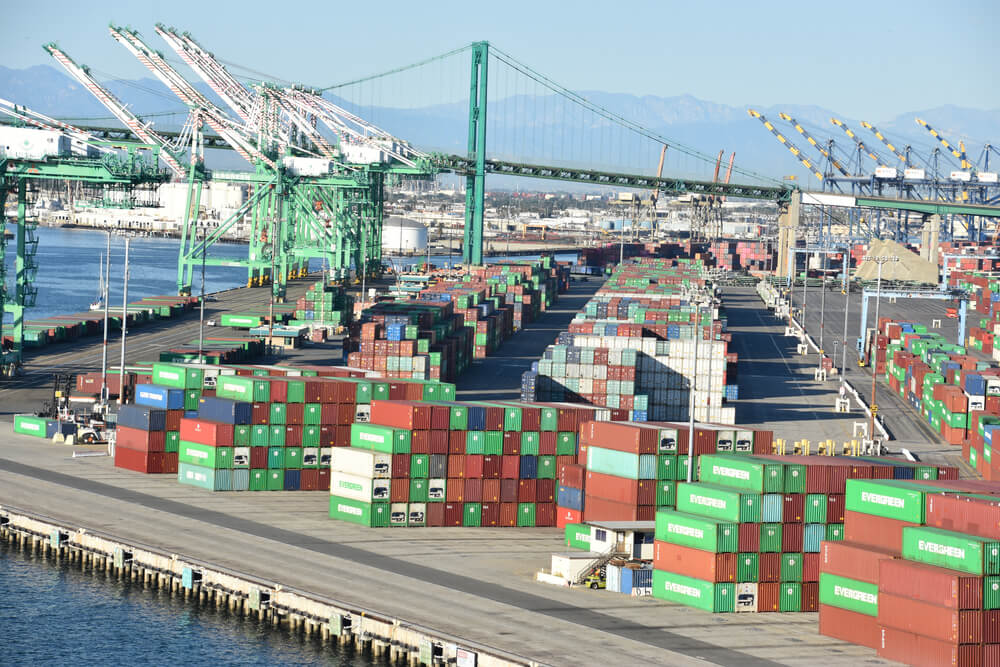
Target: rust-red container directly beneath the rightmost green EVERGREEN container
927 583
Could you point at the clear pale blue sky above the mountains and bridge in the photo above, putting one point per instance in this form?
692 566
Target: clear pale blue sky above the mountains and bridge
865 59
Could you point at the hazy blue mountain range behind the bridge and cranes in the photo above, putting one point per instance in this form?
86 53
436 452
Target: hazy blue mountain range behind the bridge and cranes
521 127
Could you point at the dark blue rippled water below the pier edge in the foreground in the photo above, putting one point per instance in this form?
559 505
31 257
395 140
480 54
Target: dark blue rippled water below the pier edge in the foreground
55 614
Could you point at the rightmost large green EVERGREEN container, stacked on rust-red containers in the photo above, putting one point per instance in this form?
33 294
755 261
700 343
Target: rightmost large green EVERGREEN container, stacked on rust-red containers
955 551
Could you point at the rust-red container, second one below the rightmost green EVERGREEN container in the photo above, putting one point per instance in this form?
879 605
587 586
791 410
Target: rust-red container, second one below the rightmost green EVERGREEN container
930 620
